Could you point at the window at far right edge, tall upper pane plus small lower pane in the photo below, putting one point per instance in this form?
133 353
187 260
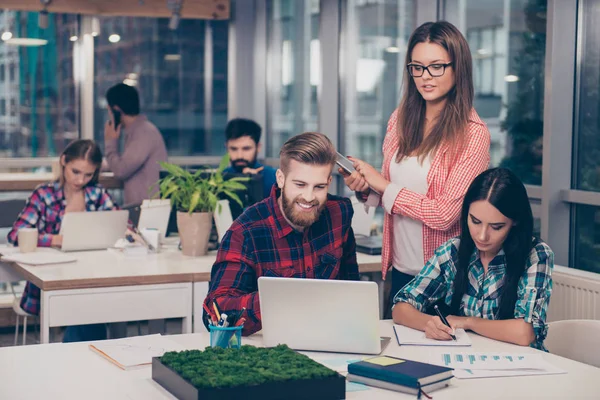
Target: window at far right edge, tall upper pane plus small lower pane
586 171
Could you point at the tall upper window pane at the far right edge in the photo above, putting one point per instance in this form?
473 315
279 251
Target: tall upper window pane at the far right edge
587 162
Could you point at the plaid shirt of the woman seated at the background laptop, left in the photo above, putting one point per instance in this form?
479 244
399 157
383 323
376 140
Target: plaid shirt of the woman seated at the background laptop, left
44 210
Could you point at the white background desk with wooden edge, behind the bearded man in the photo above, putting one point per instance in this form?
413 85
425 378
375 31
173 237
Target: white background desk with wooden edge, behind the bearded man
103 286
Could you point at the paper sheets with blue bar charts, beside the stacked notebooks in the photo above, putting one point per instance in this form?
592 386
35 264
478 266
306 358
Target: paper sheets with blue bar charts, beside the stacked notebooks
483 365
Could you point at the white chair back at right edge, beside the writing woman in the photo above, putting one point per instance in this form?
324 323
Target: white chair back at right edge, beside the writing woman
577 339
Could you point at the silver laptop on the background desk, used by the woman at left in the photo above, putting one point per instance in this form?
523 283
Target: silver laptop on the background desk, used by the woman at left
92 230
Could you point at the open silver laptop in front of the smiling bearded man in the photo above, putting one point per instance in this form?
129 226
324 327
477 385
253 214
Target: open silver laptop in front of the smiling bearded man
320 315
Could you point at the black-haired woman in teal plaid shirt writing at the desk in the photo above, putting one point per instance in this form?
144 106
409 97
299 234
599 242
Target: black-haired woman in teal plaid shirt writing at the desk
494 279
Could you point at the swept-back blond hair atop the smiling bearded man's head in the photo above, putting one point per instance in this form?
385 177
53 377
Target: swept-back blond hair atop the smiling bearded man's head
307 148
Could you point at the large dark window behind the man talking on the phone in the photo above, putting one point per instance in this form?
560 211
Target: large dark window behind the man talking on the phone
181 76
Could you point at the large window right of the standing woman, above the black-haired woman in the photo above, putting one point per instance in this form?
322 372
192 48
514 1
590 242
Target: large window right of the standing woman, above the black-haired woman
508 43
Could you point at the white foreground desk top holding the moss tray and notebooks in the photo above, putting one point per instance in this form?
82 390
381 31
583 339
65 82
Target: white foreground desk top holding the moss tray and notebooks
72 371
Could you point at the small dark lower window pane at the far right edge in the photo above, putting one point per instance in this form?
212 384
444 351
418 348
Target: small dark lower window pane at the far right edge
586 250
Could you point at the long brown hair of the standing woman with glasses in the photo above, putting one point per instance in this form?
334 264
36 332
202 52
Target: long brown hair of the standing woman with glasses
450 127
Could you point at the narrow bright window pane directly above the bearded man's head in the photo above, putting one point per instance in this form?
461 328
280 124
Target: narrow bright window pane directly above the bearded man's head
294 64
